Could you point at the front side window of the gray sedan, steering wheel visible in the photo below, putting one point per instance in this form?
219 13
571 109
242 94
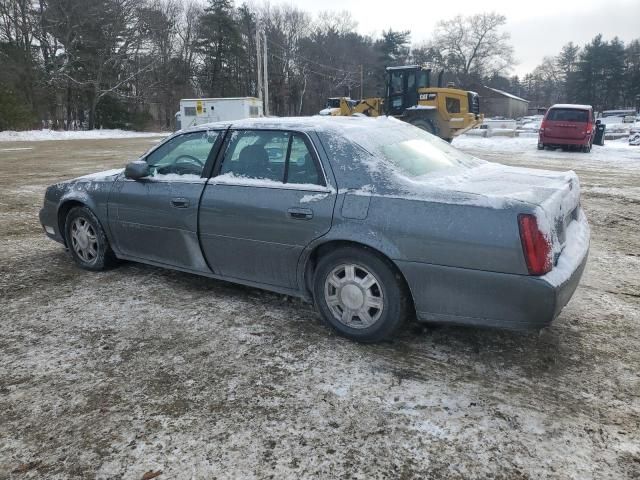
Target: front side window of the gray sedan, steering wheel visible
184 155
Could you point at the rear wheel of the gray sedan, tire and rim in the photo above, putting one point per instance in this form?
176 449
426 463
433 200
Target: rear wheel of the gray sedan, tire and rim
352 282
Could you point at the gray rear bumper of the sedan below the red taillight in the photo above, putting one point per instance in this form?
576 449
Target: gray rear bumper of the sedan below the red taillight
489 299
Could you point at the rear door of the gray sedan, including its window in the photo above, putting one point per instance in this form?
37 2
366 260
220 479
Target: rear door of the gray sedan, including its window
268 199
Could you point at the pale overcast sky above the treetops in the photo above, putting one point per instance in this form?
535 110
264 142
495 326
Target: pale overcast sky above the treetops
537 30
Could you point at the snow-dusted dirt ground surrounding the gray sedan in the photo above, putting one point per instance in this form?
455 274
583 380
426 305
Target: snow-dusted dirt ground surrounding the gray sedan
138 369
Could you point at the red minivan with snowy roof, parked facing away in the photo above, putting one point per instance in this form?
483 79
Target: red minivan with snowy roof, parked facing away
567 126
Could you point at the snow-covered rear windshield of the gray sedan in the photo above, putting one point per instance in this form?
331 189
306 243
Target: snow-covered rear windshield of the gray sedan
413 152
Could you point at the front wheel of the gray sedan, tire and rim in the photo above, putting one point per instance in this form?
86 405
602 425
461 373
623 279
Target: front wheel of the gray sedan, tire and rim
86 240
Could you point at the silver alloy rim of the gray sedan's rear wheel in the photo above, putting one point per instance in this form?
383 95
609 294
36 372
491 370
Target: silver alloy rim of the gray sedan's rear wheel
354 296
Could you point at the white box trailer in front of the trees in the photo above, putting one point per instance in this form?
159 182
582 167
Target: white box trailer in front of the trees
196 111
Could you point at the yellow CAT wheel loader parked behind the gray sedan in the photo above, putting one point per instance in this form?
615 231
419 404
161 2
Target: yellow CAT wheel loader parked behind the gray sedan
410 96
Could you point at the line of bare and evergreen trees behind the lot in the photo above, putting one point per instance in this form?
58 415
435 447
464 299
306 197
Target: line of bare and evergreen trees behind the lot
127 63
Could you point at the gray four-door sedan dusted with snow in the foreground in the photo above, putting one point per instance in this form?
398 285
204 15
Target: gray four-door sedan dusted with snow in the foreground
373 220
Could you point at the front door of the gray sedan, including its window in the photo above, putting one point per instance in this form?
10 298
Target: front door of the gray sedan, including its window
156 218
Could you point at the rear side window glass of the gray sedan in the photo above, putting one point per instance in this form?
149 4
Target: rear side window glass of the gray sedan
270 155
